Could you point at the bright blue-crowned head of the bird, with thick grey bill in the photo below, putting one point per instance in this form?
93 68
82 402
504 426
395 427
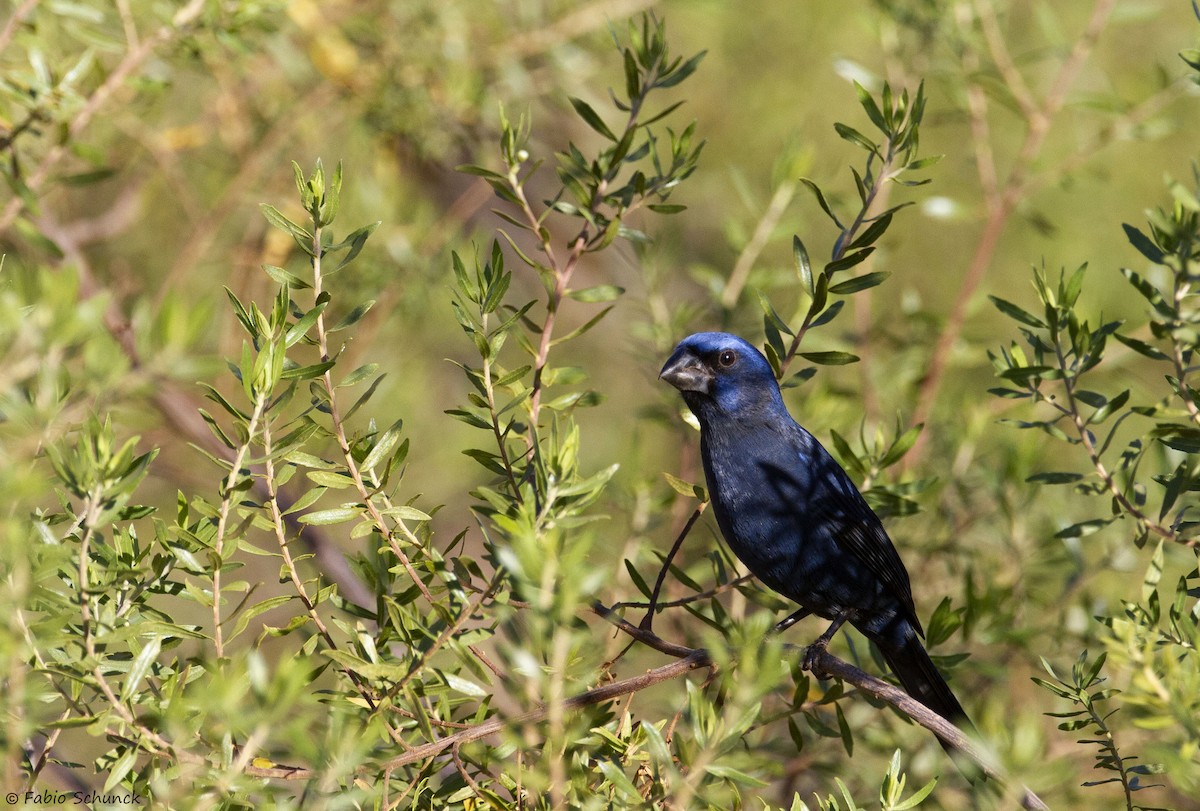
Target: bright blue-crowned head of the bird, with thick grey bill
722 375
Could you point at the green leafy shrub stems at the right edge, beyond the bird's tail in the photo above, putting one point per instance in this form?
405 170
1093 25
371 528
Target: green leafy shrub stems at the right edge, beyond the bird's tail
1149 482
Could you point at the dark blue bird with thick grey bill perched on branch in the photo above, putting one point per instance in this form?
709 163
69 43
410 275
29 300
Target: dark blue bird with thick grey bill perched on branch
793 515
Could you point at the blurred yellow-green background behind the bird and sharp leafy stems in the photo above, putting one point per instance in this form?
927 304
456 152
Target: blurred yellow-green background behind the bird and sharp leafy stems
140 139
